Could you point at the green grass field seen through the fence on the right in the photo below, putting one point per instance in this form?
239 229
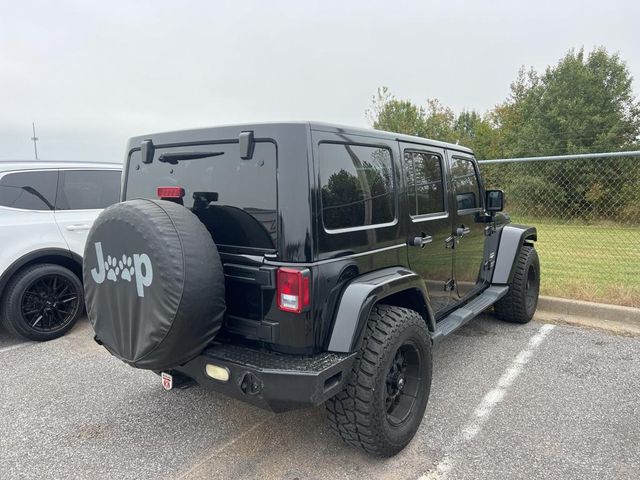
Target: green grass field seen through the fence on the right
599 263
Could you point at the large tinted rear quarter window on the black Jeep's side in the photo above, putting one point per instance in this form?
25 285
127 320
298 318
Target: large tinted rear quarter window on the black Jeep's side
357 185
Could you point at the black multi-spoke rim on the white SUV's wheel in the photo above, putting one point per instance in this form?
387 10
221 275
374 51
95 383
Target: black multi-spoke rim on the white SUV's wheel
49 303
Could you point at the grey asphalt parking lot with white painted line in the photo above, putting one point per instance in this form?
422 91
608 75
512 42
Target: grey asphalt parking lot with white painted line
507 401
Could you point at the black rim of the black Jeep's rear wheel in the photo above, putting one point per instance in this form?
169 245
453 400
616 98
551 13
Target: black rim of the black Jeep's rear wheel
402 384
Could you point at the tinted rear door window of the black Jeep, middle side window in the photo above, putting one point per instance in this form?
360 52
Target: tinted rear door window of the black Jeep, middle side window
425 187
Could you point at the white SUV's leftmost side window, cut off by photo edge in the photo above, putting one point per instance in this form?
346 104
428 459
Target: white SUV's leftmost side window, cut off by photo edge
29 190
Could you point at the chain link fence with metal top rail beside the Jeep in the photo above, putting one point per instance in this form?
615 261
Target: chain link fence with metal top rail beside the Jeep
587 211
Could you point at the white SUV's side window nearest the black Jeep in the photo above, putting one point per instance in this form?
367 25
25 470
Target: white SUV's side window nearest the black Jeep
88 189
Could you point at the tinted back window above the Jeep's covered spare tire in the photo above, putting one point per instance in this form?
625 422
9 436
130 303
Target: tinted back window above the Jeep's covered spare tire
236 199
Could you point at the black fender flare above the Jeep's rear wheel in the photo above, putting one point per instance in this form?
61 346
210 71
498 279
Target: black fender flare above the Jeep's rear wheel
362 293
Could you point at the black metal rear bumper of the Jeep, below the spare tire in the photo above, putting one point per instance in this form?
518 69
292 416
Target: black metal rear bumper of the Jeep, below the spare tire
271 380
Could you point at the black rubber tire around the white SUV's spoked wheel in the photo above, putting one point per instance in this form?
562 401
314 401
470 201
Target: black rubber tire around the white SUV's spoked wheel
11 308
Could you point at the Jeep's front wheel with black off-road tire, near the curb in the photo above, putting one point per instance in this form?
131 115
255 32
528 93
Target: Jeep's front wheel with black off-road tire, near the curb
519 304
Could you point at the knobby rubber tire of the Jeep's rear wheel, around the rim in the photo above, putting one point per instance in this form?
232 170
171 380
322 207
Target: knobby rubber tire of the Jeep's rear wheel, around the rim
358 414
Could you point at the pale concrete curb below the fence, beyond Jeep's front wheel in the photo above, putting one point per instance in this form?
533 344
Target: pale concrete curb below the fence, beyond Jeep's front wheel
614 318
